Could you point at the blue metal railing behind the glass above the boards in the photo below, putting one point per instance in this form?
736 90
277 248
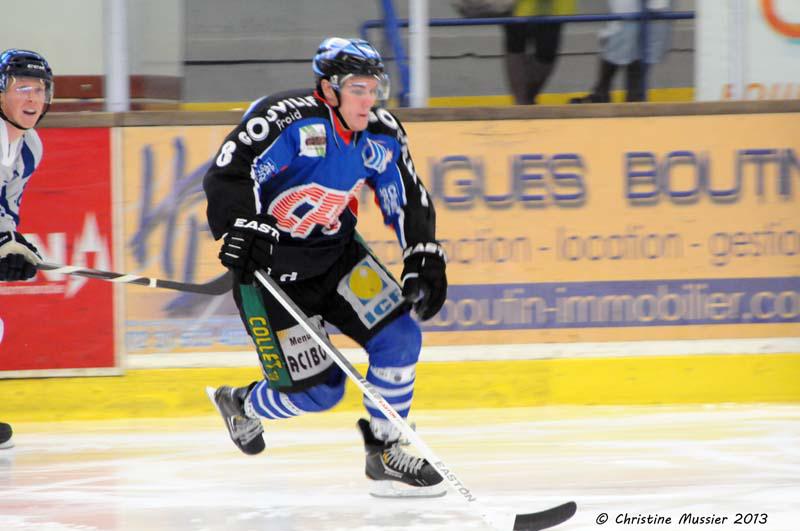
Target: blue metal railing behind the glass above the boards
392 24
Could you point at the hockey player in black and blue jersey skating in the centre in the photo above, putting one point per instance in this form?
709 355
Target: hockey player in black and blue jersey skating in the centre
282 196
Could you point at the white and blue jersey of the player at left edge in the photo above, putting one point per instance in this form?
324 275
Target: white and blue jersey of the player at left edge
18 160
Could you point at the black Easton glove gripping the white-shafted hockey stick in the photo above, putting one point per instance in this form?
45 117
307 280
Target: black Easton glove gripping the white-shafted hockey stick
249 245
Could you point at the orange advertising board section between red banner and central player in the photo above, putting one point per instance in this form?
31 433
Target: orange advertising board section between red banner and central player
166 236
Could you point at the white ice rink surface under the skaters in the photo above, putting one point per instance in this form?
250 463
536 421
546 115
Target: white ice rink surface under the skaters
176 475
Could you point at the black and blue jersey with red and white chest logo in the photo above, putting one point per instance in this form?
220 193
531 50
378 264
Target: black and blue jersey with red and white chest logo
286 159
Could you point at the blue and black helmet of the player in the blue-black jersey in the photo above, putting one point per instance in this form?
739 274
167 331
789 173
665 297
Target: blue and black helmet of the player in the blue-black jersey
337 59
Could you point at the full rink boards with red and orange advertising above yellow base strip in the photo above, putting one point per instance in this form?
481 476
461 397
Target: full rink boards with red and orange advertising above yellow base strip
642 230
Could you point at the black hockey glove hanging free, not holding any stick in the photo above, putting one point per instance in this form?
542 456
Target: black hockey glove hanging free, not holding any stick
424 280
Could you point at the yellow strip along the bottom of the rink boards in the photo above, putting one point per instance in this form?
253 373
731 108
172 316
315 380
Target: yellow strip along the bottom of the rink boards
440 385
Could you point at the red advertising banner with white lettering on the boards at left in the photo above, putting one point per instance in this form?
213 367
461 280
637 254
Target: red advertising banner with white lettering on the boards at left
59 323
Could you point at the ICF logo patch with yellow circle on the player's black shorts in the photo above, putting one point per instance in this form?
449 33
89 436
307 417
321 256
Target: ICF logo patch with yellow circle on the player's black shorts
370 291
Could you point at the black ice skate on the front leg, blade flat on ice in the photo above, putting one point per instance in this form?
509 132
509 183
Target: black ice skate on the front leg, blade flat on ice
396 474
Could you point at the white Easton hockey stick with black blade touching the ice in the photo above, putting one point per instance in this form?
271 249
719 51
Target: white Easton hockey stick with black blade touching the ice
521 522
